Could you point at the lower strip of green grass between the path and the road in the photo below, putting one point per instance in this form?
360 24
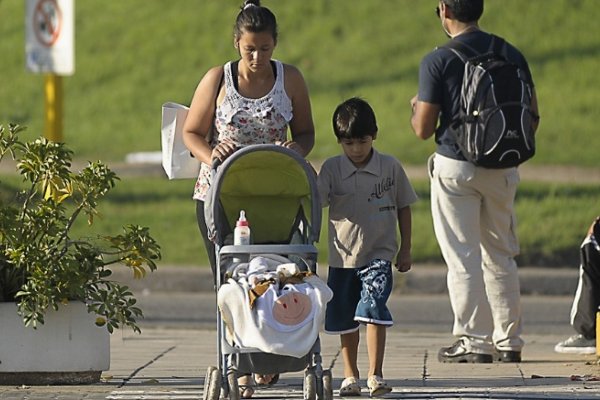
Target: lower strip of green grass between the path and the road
552 220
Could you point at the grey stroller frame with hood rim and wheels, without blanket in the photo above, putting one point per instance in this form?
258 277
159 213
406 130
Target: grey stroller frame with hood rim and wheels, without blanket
221 381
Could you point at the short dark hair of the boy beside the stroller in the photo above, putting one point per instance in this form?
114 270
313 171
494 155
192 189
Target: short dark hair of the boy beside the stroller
354 118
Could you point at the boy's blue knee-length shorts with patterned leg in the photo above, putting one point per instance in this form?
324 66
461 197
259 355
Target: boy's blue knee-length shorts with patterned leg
359 296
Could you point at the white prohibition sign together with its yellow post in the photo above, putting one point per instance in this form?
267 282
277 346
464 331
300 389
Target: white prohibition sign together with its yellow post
50 50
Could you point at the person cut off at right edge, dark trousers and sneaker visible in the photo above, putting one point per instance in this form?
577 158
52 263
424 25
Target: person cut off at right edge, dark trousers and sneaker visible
587 297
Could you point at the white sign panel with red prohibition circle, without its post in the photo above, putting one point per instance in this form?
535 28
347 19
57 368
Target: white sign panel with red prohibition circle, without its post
50 36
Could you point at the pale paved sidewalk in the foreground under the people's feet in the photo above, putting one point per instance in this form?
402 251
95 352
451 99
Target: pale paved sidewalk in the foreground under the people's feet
171 364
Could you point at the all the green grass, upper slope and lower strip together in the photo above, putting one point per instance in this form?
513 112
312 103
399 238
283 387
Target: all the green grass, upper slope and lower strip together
132 56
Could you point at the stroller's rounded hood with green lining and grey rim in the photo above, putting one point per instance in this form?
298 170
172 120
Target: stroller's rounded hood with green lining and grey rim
276 188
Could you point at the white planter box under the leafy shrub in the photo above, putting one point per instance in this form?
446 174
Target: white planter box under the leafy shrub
67 349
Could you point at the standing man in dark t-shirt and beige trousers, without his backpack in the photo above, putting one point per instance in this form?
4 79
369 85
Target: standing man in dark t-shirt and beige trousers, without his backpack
472 207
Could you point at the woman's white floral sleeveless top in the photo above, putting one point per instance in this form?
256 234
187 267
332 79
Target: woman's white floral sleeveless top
248 121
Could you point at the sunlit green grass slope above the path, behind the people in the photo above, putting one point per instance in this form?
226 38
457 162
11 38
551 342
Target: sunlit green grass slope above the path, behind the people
132 56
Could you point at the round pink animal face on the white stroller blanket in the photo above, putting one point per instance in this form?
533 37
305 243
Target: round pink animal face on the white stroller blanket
288 308
